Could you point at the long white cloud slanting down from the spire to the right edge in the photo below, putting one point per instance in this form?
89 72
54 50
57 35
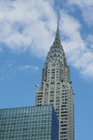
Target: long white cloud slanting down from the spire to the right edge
78 54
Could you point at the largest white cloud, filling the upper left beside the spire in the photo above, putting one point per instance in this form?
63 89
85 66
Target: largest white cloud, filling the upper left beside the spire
23 25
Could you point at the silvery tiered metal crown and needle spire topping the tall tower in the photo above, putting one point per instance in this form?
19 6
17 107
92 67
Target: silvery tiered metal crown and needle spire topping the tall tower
56 53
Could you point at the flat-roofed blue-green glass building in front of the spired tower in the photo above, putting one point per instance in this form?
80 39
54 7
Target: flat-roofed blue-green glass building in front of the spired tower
29 123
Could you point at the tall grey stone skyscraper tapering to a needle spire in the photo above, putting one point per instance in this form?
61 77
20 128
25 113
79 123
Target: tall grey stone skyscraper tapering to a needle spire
56 88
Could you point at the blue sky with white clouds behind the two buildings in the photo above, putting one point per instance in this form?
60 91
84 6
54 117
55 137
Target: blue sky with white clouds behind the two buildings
27 30
